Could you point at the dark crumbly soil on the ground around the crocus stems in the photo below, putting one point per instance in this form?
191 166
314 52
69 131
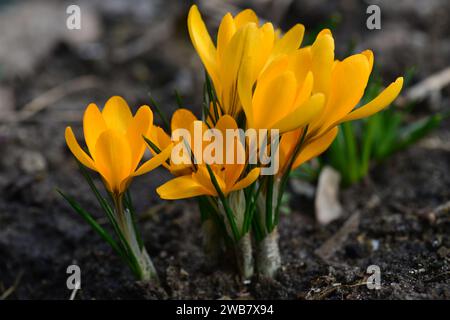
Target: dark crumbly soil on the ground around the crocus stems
39 239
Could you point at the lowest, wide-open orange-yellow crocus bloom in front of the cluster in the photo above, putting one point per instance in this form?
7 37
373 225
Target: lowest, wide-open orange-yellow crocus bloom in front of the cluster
226 174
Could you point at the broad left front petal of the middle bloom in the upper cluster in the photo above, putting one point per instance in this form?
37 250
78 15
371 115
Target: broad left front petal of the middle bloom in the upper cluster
274 97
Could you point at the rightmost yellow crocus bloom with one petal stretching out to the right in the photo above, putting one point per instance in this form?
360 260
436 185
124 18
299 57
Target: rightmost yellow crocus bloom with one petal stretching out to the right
343 83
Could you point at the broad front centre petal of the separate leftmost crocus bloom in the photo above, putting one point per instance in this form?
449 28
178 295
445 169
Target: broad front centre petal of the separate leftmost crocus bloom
113 158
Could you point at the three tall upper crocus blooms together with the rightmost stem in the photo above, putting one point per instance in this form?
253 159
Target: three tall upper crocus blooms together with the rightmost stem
273 83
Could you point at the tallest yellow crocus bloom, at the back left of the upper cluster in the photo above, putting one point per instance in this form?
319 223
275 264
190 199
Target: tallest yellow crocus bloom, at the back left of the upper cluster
239 38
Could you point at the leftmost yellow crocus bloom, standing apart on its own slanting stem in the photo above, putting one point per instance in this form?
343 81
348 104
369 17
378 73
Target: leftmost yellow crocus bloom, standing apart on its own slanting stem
115 143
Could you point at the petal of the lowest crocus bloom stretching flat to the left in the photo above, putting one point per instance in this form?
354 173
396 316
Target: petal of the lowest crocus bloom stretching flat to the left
181 188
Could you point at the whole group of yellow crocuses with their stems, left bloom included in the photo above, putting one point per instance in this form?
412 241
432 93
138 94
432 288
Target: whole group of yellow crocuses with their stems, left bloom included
259 79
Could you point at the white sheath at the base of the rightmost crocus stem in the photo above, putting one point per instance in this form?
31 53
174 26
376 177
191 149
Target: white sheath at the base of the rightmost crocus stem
268 259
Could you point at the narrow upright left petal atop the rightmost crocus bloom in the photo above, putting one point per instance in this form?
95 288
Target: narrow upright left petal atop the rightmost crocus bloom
322 52
